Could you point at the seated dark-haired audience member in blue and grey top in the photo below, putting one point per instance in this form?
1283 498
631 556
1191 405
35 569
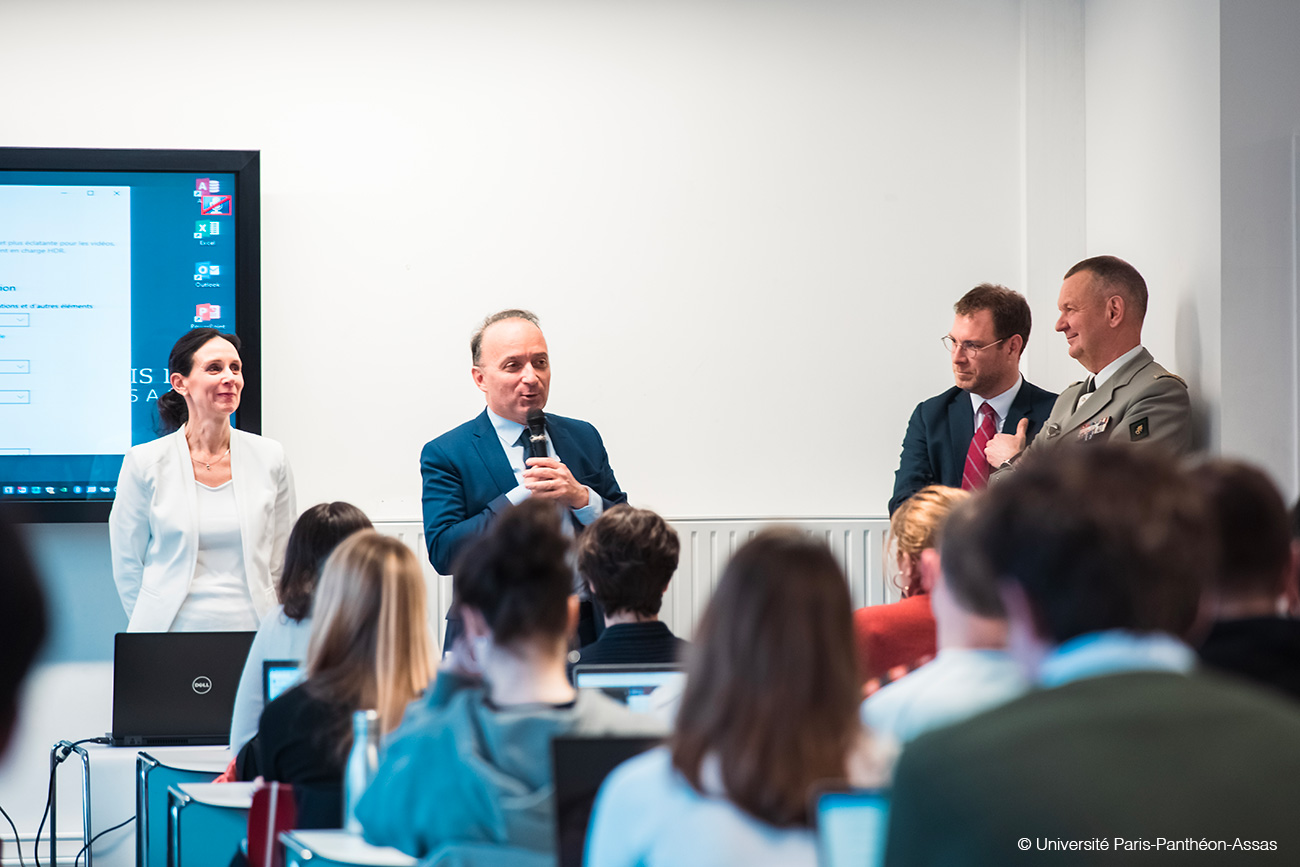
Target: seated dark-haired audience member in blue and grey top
473 764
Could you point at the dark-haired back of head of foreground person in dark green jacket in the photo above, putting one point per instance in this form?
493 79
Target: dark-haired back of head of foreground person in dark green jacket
1098 539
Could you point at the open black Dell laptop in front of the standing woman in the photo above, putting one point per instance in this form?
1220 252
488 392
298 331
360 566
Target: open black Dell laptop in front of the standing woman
176 688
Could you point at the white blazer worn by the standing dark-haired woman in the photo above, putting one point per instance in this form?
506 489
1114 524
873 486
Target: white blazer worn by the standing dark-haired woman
154 534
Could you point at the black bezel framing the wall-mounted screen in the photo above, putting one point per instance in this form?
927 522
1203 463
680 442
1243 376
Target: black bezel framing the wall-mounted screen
248 216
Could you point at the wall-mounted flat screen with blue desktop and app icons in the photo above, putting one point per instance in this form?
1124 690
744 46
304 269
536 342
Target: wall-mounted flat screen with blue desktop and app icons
106 259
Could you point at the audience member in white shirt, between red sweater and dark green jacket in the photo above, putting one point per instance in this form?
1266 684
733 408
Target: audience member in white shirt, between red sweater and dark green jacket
973 671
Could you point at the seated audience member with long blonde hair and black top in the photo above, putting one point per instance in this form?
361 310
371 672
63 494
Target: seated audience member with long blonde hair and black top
370 651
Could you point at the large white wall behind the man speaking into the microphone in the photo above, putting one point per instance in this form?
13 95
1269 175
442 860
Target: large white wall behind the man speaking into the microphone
744 224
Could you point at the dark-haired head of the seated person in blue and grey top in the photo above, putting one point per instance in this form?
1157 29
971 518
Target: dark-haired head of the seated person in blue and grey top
518 576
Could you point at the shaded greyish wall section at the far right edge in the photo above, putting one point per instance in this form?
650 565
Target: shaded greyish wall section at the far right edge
1262 120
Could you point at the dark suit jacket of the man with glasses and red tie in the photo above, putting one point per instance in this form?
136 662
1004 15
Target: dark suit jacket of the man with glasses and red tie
941 431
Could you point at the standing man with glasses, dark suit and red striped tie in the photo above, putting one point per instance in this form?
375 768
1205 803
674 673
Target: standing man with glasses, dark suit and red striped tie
947 435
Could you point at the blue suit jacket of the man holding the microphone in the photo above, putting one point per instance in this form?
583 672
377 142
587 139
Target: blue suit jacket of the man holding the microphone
467 478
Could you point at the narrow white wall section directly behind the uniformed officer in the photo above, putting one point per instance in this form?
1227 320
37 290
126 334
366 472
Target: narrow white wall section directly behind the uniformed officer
1154 175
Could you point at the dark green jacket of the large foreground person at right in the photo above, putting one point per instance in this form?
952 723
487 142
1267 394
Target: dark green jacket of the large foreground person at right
1137 756
